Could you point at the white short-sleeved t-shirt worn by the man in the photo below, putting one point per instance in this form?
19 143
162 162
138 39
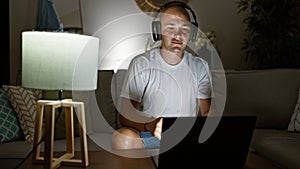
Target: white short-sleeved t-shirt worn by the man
167 90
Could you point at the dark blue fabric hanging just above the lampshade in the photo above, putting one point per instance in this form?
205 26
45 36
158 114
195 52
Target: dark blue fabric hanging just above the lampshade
47 17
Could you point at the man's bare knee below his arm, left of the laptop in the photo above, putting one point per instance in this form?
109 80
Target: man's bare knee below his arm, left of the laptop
126 138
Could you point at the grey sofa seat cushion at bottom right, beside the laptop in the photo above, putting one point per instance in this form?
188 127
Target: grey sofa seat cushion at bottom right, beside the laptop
280 146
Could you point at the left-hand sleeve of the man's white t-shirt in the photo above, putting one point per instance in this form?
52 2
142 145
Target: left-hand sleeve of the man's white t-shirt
135 81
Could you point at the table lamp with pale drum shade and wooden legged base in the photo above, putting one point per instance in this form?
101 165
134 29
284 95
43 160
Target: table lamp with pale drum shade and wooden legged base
59 61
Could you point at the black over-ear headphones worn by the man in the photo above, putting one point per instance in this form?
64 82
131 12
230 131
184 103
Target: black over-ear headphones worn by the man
156 26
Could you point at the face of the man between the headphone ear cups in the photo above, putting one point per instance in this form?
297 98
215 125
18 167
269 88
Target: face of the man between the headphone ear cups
175 28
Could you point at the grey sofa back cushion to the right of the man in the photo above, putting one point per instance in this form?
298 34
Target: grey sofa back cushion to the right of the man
268 94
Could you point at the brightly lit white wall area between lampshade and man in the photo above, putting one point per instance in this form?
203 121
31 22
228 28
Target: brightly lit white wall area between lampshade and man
122 29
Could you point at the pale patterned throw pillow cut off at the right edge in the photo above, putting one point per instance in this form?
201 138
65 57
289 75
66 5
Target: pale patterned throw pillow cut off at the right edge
294 124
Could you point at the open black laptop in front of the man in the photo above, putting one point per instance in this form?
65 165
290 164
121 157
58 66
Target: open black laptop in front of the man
222 145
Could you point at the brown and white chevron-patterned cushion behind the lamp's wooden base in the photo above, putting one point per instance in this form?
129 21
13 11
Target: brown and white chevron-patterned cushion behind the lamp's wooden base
24 102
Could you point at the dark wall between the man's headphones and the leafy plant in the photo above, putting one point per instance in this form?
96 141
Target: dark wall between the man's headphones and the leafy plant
221 16
